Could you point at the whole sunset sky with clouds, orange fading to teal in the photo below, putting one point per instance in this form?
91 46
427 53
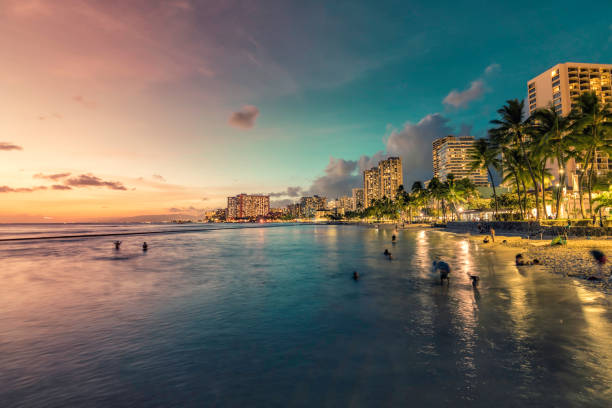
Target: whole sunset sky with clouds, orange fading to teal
116 108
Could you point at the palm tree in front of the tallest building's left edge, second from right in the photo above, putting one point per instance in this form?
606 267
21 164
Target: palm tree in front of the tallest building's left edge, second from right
552 129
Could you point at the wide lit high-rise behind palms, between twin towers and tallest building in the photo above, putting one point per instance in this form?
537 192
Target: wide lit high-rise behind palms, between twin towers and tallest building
451 155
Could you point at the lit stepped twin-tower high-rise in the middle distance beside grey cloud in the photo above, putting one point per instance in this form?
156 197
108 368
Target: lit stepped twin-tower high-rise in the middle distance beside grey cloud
382 181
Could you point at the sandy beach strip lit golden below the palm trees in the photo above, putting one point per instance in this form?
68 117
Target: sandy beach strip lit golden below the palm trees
572 260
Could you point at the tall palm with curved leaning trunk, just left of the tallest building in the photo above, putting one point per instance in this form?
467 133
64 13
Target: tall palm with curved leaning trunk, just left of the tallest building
512 129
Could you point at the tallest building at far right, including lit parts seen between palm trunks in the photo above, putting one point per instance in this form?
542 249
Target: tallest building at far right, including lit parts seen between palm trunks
560 86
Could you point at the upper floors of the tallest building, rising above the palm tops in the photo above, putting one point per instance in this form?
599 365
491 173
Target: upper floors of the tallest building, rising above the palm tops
562 84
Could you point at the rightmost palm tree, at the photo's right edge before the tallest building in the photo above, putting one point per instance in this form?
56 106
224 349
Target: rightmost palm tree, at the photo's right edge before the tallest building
591 128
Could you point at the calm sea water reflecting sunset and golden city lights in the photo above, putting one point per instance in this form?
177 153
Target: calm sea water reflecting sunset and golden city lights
271 317
